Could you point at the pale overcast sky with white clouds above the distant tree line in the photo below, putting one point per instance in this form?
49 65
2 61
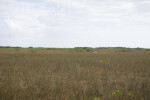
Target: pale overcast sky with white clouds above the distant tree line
75 23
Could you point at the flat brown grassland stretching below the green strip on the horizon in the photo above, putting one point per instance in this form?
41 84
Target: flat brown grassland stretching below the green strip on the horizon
64 75
